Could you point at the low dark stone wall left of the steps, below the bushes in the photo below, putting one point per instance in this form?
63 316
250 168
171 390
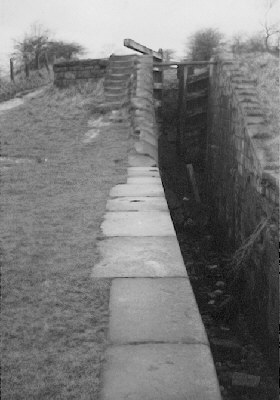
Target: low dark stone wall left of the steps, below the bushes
67 73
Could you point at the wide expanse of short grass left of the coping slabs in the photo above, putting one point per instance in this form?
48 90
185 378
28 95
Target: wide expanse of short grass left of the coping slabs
54 192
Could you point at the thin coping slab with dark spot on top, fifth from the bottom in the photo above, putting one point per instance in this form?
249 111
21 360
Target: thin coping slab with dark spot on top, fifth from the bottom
137 204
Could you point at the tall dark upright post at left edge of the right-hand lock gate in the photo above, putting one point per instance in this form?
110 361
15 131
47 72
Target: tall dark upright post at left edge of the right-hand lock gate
182 74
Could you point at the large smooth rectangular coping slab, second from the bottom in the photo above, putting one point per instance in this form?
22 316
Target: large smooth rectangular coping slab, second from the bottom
154 310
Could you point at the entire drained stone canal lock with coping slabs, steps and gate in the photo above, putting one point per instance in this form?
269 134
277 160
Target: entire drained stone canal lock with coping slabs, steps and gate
181 240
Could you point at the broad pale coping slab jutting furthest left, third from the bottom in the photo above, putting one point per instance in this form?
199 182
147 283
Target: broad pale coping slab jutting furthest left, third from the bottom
139 257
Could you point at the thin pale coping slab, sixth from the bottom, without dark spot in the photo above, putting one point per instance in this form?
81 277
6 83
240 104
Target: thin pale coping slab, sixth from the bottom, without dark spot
132 190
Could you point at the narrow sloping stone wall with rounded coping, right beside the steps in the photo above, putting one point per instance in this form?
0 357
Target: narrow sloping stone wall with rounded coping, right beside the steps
144 124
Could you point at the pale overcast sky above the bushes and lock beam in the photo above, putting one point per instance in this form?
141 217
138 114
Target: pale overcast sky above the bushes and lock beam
102 25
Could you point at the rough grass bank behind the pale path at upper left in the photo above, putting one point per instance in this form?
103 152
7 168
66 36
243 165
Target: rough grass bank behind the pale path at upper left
10 89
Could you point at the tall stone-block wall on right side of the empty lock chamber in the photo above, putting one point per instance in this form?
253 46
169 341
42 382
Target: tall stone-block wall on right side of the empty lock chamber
242 167
